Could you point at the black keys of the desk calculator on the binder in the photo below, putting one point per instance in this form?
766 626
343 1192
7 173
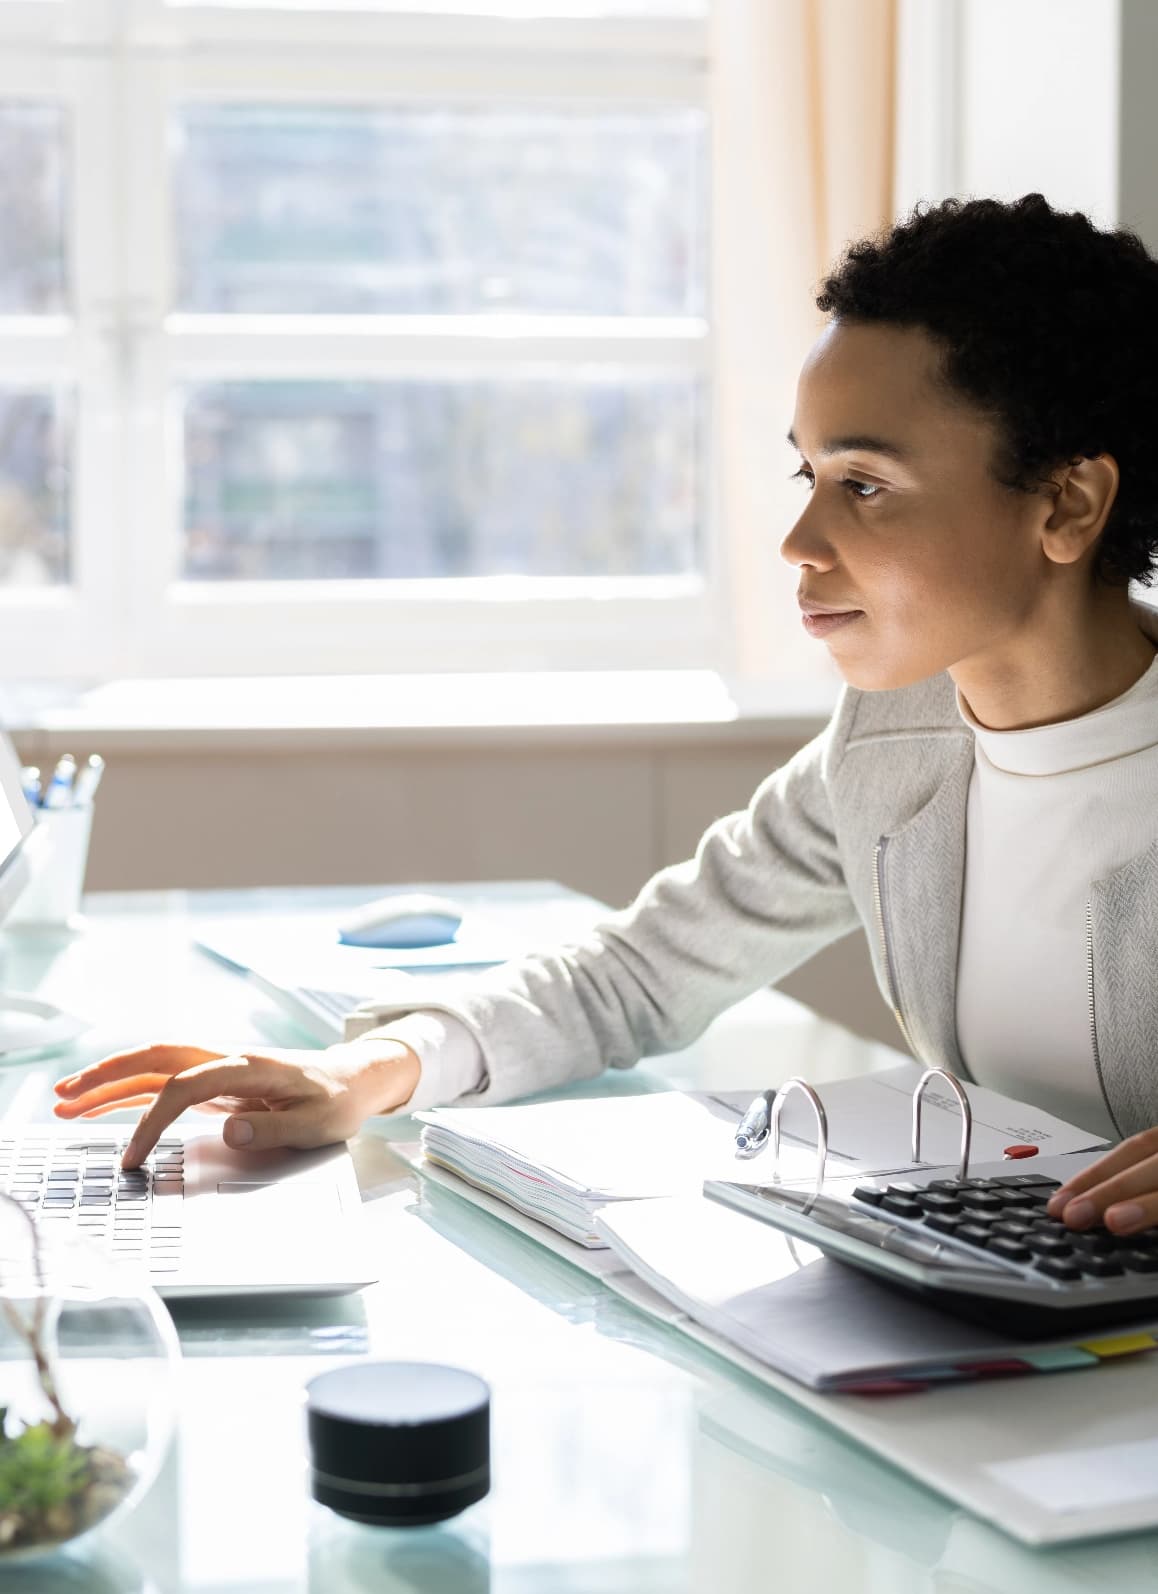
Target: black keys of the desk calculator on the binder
1007 1220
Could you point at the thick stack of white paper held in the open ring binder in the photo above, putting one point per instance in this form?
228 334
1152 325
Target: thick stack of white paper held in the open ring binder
562 1161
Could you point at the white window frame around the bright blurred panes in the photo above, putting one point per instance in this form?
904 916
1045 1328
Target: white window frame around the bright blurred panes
130 614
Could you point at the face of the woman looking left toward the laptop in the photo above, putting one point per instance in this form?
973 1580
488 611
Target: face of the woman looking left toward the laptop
912 557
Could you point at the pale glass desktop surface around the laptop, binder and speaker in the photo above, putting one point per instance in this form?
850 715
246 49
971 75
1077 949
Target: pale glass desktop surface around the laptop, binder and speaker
628 1461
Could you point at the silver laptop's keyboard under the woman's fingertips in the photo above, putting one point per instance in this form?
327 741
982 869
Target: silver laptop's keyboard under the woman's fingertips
79 1187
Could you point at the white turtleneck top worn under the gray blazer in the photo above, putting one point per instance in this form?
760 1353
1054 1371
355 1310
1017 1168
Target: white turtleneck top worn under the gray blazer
1050 811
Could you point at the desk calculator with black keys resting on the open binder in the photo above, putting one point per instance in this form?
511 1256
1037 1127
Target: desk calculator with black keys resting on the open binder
982 1247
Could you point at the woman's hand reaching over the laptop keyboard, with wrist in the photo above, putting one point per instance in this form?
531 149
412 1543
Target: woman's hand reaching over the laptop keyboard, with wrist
270 1097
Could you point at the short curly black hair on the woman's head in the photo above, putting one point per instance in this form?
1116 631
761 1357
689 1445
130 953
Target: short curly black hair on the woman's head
1049 324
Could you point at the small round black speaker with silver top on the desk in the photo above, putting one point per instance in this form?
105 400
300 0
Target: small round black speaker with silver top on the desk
400 1443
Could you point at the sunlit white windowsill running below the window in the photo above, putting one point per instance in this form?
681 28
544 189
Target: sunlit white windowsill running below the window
439 709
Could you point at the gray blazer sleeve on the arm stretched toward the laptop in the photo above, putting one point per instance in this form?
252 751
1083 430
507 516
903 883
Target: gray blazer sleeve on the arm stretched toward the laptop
763 893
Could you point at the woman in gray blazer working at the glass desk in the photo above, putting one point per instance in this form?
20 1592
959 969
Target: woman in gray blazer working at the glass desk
975 430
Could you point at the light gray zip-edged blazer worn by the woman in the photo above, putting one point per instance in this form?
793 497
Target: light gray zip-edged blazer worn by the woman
865 826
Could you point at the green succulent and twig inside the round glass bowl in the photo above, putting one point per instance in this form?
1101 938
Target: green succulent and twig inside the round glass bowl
52 1488
